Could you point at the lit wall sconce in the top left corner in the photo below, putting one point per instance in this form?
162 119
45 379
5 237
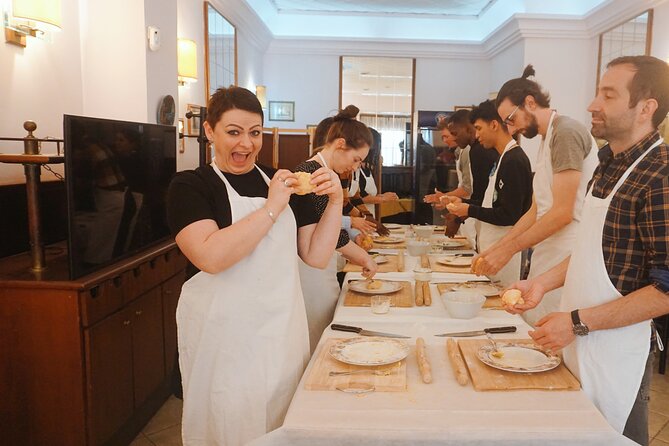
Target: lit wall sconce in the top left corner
33 18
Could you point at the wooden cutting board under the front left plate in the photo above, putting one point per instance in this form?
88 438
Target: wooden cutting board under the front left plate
319 378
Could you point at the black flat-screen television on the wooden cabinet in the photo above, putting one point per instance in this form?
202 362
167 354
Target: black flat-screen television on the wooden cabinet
117 175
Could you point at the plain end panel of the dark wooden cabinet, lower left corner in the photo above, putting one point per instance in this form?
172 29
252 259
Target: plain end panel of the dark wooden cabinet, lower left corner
41 368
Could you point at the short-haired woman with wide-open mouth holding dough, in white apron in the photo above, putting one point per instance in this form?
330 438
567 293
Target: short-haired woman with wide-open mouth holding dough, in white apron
242 328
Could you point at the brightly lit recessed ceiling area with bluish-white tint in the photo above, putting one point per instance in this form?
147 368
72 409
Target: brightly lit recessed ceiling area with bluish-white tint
467 21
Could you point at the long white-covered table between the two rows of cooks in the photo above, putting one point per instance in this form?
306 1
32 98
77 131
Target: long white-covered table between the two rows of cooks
443 412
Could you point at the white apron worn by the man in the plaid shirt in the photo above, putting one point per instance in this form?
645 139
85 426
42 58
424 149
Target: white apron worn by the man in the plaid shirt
609 363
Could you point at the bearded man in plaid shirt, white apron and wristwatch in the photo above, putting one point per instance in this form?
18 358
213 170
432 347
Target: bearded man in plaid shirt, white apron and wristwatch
617 279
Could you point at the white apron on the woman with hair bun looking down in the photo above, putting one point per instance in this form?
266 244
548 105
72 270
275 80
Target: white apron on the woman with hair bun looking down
320 289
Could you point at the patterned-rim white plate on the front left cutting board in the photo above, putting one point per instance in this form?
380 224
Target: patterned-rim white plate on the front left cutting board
369 351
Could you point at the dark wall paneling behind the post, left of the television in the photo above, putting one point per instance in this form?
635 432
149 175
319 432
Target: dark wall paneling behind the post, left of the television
14 221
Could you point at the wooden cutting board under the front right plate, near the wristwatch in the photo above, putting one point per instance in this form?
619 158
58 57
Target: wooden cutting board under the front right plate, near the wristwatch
485 377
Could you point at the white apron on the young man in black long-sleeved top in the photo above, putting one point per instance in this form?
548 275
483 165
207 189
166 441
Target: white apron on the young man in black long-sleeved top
488 234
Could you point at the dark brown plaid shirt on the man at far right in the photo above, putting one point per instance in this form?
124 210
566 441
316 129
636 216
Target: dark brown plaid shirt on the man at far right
636 238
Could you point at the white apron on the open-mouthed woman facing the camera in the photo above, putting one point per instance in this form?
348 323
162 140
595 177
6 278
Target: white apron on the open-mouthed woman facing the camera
243 337
